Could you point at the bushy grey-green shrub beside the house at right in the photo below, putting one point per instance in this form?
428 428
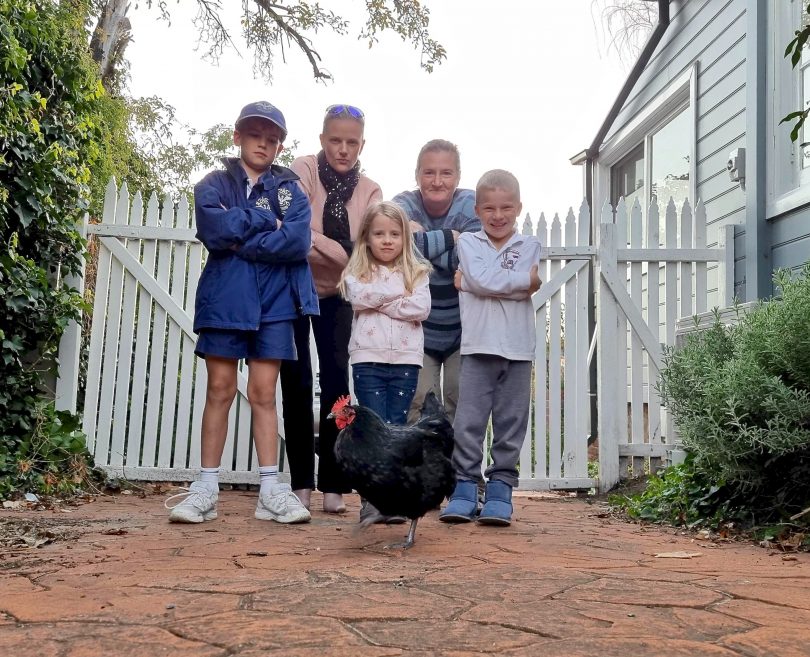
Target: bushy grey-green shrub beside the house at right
740 398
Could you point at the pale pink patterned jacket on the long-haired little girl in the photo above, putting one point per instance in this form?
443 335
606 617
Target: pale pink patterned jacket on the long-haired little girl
387 325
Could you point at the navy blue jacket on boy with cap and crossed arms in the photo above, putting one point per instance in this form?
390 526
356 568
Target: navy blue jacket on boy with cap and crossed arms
256 271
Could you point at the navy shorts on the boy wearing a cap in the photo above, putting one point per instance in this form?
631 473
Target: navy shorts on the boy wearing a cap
273 340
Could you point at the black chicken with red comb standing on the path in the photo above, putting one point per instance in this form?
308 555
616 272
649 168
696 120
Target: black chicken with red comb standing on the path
403 470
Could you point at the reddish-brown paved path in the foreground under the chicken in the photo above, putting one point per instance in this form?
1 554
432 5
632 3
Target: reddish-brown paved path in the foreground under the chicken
565 580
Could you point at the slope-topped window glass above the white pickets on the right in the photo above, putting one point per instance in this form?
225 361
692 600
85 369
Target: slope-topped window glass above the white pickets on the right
657 168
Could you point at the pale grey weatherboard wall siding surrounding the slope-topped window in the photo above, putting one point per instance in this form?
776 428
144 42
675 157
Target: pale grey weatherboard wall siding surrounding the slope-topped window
711 33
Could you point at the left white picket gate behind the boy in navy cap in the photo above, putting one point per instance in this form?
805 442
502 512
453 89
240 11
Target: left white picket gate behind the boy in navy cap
145 388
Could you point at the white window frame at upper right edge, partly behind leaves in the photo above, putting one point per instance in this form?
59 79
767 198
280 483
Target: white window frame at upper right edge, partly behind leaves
788 186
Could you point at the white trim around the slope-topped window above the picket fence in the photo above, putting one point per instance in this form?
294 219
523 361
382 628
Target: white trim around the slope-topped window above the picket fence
672 100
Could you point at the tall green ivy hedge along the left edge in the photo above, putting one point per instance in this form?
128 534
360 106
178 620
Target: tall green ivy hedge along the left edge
49 128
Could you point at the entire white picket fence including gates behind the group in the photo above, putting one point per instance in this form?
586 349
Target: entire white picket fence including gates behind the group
145 389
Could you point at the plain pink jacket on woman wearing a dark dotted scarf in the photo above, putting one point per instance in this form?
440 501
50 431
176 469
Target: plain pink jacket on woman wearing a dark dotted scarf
327 258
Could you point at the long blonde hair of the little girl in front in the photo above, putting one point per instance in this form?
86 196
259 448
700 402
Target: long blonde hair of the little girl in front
410 262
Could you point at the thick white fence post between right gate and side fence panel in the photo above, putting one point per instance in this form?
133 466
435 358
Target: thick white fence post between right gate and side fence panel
611 423
